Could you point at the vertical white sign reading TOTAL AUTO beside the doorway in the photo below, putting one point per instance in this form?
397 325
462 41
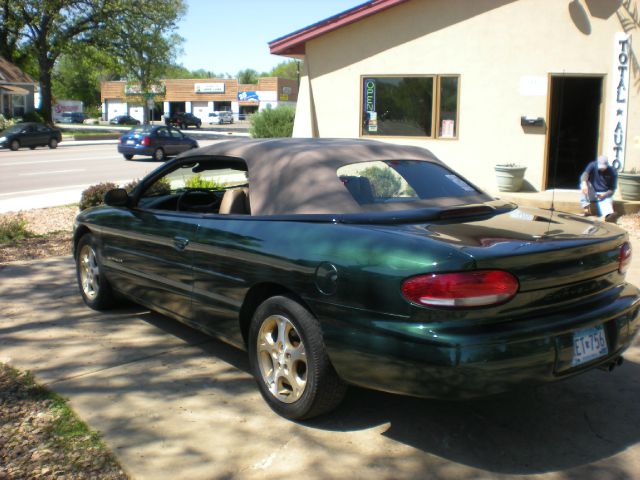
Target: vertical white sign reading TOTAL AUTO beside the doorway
619 100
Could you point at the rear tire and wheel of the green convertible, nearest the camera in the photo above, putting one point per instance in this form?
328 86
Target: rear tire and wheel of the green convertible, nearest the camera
289 360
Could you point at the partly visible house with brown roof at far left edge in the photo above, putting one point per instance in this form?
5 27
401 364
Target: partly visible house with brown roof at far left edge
16 90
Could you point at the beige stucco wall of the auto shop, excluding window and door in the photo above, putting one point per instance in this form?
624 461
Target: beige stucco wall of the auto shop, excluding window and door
492 45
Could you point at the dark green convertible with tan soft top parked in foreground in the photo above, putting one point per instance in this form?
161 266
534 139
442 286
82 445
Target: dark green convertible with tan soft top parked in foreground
338 262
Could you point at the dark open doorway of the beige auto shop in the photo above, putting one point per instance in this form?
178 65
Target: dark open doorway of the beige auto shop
574 128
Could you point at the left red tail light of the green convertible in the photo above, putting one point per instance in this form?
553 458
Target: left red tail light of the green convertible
479 288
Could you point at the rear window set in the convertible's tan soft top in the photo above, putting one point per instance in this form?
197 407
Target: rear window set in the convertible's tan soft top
402 181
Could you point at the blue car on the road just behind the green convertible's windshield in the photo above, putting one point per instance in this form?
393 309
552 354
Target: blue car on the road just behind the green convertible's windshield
154 141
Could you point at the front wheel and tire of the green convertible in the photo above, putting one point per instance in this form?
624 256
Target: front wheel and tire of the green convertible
94 286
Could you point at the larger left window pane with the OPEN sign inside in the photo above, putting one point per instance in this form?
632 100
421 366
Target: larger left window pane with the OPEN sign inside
397 106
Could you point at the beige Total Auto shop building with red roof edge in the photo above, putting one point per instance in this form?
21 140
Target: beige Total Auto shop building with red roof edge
547 84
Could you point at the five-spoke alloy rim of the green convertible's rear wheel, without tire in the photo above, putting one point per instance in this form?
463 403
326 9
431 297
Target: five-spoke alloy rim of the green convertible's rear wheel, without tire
282 358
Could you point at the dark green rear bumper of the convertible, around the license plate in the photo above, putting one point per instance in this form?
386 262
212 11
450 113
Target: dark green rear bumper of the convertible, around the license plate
398 356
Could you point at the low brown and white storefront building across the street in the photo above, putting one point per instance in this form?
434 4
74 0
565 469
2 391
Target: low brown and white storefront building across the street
198 96
